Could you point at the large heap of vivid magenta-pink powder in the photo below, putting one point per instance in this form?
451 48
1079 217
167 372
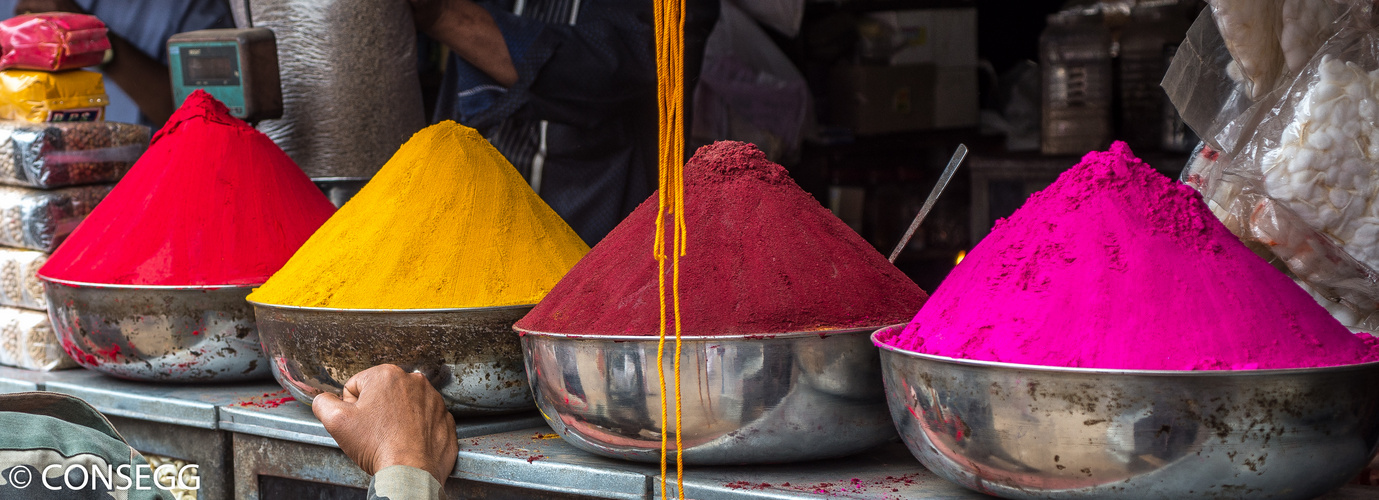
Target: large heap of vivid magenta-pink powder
1116 267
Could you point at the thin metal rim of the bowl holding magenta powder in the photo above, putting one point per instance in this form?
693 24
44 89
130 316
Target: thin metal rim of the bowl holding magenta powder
1112 371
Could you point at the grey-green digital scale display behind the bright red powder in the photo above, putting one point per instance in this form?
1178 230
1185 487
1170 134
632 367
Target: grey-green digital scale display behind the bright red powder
238 67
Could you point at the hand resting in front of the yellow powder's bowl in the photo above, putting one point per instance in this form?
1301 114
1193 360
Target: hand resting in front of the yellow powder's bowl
391 418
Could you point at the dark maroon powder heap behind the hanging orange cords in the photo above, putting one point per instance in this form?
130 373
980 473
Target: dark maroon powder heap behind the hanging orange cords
763 257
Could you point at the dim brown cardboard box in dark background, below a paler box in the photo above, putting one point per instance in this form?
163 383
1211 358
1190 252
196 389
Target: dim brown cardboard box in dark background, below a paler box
880 100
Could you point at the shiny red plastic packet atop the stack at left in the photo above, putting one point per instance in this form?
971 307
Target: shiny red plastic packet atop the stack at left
53 42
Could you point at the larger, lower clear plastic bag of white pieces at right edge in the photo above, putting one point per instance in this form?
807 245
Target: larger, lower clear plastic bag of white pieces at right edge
1302 184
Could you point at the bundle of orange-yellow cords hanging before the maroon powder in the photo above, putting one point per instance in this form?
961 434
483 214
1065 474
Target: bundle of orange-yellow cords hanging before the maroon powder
670 19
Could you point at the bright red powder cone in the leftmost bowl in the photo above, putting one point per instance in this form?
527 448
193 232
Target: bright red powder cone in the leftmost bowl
213 202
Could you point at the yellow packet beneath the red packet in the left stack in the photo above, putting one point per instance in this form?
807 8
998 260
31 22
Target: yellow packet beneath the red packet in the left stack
41 97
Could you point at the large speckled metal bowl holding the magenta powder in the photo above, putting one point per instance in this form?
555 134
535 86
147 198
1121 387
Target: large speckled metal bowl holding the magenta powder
1025 432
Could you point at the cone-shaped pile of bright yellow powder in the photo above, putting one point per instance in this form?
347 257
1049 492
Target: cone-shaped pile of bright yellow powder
447 222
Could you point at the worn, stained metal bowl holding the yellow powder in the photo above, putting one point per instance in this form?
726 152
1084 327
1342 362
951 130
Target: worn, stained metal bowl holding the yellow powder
470 355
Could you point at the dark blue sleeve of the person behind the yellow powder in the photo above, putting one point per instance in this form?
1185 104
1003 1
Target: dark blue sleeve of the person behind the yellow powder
574 75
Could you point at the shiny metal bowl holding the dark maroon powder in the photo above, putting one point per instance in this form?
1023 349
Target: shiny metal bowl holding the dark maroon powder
745 400
